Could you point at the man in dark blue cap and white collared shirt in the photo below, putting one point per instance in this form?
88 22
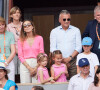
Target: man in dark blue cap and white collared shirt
82 80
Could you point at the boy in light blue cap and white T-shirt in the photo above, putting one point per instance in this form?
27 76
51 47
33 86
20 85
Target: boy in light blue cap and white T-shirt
92 57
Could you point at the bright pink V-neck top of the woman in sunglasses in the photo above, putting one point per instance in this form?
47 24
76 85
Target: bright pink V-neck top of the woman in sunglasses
25 51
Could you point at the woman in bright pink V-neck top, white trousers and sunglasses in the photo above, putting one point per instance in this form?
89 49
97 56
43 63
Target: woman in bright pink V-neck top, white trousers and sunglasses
29 46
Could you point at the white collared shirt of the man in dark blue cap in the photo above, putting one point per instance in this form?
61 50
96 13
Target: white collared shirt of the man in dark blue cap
79 83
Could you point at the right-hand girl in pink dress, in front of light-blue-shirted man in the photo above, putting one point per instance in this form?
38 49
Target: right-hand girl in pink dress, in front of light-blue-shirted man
58 69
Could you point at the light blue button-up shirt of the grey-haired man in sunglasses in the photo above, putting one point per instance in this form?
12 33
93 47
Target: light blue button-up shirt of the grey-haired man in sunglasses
66 41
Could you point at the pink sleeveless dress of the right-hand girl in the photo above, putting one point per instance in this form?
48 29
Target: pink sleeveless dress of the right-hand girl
58 70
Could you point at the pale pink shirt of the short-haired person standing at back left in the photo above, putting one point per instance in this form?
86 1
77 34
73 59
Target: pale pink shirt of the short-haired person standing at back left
15 30
